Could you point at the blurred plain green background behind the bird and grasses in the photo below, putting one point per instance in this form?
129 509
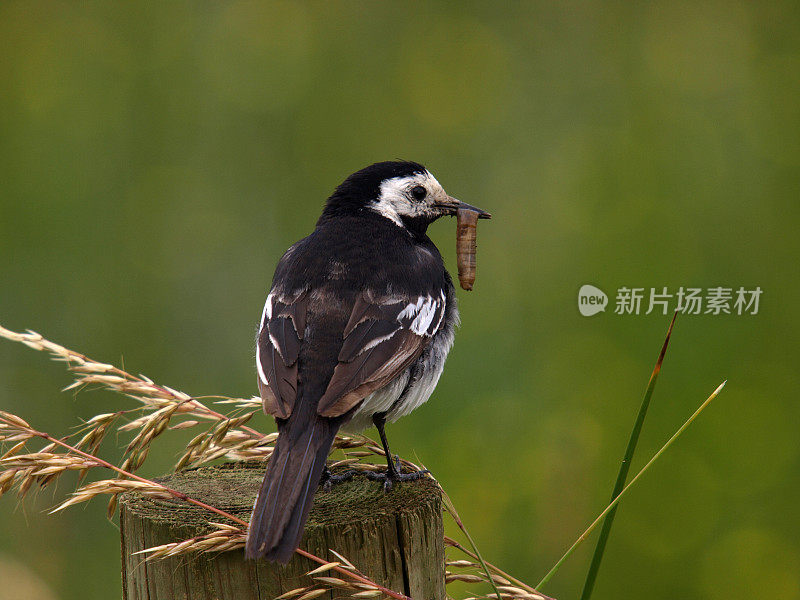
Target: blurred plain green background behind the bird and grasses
157 158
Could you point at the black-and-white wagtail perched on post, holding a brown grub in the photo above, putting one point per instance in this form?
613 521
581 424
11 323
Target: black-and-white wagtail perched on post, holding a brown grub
354 332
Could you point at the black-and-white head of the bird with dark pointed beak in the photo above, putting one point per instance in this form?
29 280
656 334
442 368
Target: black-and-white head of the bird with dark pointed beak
402 191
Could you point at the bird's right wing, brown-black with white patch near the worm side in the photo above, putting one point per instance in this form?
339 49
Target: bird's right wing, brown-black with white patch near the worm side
382 338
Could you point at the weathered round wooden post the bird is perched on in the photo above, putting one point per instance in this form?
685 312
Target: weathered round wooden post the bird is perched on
394 538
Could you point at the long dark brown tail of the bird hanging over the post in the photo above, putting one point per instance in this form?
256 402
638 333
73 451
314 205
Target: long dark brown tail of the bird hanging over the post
286 495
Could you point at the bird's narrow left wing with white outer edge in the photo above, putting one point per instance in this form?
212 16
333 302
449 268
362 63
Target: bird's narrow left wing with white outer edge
280 334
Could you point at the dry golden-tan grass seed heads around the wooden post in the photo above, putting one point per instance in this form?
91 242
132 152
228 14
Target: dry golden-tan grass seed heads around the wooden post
226 435
